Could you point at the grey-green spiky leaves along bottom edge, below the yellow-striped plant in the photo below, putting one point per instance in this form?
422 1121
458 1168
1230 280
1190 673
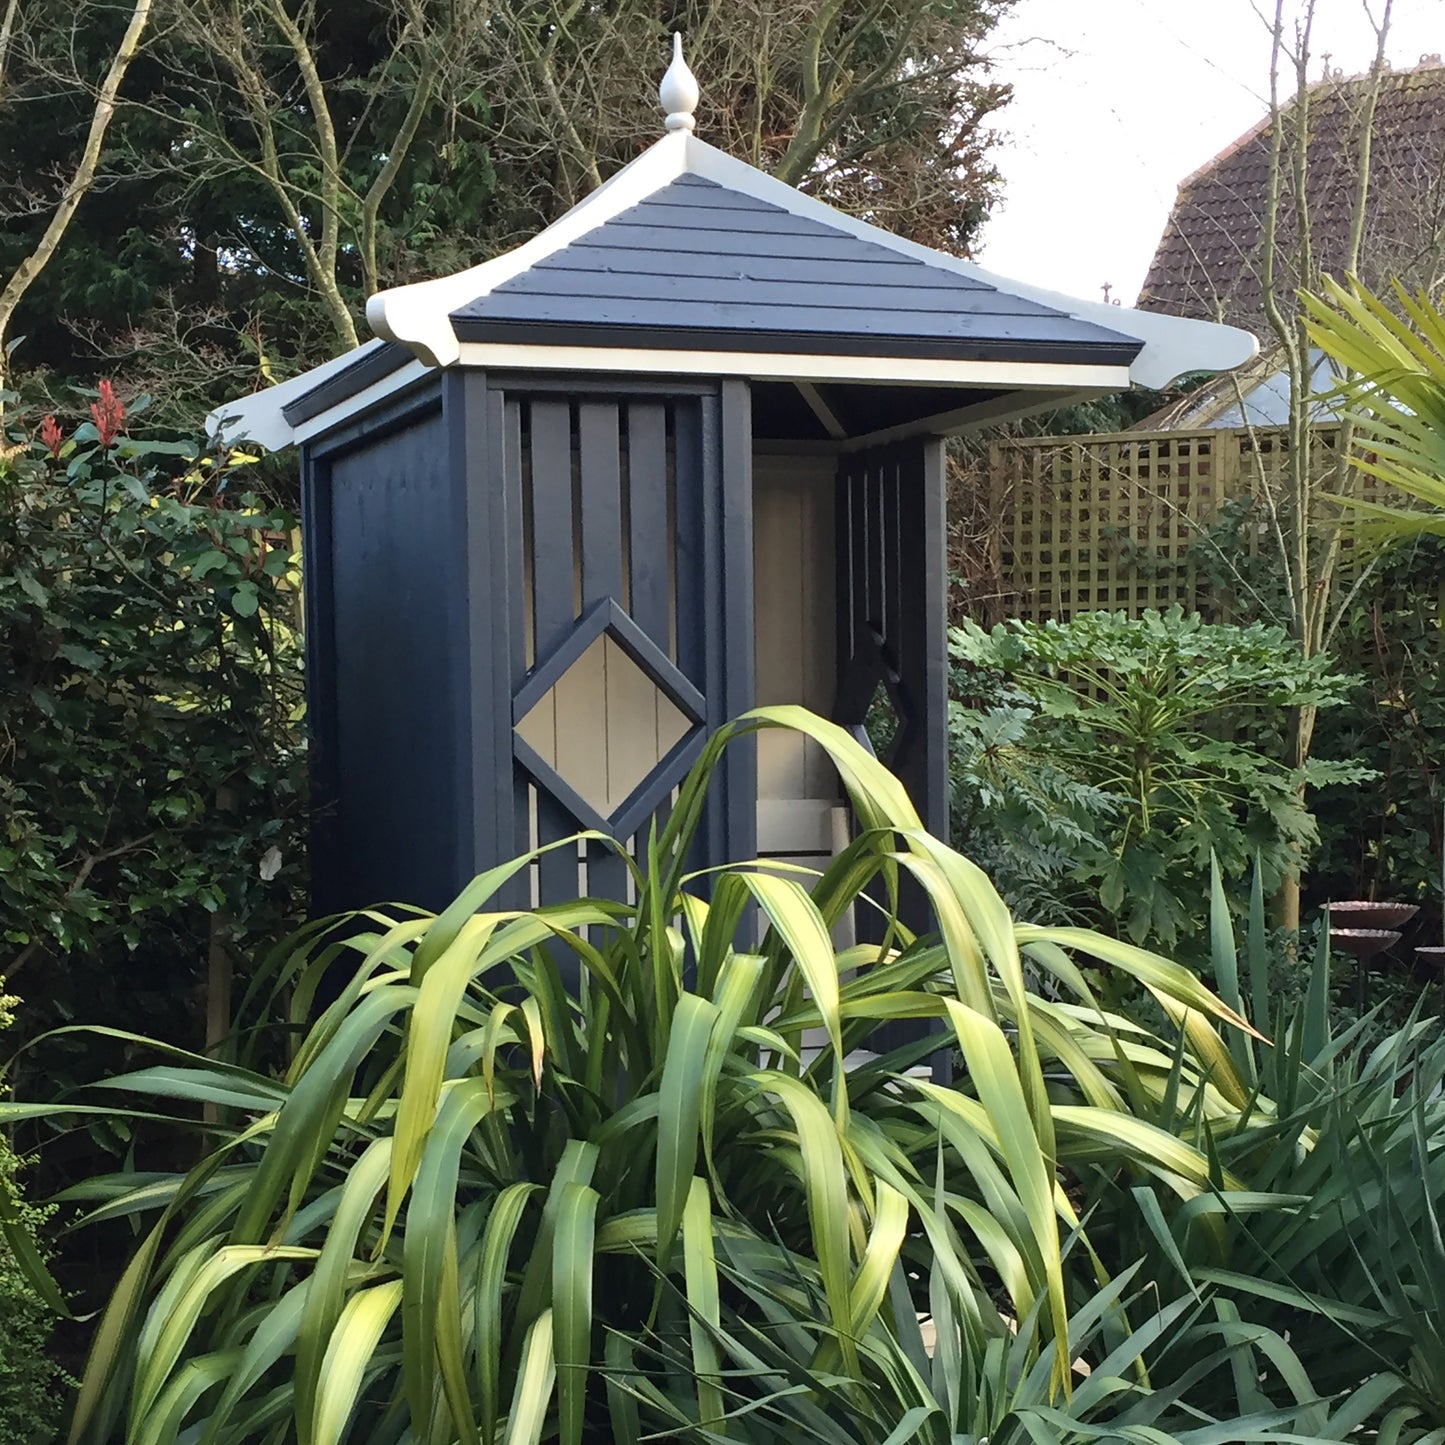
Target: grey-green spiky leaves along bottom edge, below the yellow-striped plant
1189 1371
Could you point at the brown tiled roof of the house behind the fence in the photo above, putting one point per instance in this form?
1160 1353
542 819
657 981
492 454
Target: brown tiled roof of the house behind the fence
1209 259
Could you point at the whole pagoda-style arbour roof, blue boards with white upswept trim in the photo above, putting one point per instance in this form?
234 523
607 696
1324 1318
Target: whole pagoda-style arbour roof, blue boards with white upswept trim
690 262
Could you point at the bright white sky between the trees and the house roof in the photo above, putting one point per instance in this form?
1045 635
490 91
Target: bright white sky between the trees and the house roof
1116 102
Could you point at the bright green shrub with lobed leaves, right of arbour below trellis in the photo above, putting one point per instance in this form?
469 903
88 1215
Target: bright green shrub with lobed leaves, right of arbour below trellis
1139 748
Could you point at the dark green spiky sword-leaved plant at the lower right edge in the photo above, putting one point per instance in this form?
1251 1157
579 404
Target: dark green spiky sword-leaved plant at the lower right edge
1347 1254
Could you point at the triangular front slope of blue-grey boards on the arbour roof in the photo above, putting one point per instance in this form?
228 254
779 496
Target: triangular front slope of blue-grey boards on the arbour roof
699 265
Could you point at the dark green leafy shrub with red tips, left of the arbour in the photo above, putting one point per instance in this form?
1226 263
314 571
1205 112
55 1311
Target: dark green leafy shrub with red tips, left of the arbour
150 713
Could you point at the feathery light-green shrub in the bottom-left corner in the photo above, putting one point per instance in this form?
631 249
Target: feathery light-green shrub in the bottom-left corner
31 1397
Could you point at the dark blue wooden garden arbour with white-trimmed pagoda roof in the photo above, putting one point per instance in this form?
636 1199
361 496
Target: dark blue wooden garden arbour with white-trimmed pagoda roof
586 502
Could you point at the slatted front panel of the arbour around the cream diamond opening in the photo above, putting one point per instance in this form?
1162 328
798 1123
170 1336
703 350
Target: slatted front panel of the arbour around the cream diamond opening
637 508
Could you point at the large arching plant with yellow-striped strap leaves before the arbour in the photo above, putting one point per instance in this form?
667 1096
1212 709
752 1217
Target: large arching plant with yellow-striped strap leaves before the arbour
524 1158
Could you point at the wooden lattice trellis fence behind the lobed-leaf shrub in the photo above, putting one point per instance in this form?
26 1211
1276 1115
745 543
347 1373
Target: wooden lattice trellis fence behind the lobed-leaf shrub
1109 522
